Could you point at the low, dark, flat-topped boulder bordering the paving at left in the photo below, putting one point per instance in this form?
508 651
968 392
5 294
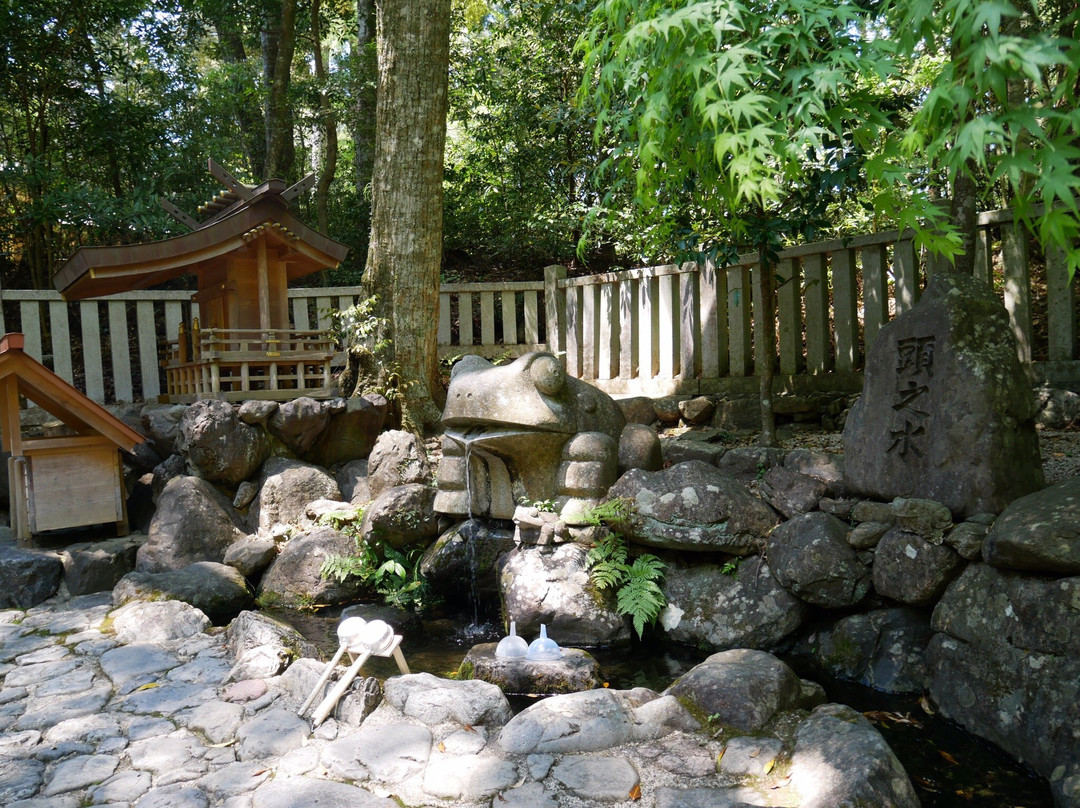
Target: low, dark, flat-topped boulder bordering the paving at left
219 591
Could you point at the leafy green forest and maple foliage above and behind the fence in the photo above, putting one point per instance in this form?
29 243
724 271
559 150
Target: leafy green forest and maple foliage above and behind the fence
106 106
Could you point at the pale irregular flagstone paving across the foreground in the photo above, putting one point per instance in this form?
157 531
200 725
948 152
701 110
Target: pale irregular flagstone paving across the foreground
145 707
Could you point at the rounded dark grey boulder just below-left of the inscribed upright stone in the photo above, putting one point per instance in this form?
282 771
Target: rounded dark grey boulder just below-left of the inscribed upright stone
812 558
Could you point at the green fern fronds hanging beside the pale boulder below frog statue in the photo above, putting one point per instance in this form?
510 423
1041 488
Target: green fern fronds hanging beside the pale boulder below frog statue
637 583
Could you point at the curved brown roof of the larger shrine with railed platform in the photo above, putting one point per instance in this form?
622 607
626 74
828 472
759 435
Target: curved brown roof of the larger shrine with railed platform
104 271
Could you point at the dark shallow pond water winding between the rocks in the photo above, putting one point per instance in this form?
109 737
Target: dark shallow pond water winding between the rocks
949 767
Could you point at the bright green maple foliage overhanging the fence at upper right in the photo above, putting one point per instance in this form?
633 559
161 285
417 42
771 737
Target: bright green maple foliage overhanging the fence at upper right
738 123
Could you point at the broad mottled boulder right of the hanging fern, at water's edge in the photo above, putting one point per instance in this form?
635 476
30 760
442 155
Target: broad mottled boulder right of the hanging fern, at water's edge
713 609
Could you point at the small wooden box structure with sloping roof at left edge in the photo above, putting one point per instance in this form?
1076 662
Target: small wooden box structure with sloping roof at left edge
57 483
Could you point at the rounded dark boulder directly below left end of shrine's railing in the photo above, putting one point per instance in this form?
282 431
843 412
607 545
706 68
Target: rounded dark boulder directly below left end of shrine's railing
219 447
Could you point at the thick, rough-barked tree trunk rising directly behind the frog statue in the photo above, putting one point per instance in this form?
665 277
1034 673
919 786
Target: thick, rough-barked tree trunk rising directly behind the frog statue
406 250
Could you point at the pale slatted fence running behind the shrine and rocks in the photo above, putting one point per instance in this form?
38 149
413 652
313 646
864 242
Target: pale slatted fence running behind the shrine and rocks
656 331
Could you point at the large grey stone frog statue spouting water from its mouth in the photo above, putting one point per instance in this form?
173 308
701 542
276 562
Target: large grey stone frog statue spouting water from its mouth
528 433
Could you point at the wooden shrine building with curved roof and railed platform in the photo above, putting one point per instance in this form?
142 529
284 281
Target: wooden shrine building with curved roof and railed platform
241 346
